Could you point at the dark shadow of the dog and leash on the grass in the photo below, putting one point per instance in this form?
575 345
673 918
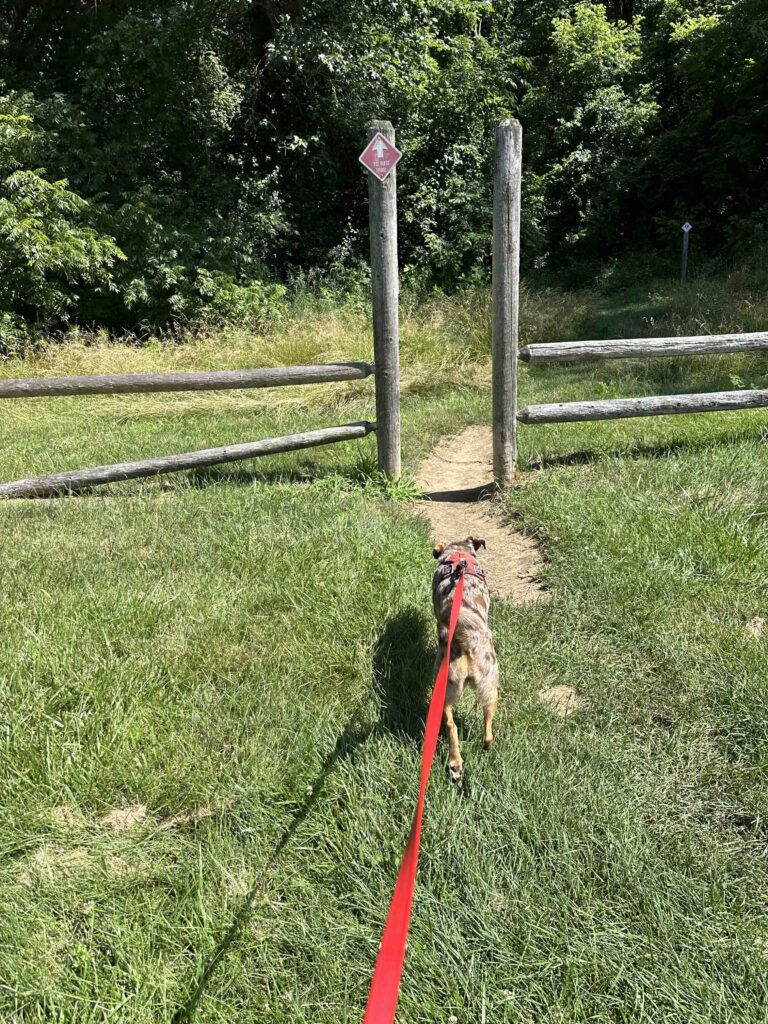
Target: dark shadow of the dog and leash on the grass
402 679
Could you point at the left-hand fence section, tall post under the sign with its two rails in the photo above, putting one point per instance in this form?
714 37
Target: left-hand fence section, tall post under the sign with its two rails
386 368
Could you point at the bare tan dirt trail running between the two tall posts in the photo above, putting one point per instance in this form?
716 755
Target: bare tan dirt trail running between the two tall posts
457 481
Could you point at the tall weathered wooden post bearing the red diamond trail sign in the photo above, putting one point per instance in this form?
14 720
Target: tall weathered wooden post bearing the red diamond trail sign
383 220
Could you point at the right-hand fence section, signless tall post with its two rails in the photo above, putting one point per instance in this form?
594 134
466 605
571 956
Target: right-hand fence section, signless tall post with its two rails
508 165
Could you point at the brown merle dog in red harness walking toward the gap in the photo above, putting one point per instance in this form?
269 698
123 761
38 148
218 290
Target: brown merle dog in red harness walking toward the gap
474 659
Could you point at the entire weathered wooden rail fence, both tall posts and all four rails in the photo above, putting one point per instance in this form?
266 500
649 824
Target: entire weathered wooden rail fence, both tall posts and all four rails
386 368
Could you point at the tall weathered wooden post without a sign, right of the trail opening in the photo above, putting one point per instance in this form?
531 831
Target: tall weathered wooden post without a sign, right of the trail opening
506 291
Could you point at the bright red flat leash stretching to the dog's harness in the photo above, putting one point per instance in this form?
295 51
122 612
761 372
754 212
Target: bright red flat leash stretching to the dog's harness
382 1000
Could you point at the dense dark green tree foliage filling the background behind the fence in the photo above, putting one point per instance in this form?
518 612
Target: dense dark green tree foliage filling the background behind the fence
166 160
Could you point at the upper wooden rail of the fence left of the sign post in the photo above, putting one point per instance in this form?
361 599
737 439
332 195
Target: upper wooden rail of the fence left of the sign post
215 380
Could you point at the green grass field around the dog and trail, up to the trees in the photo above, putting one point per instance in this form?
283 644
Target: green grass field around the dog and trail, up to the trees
239 660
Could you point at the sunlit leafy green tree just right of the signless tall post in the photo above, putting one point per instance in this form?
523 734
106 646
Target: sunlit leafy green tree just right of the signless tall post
592 120
